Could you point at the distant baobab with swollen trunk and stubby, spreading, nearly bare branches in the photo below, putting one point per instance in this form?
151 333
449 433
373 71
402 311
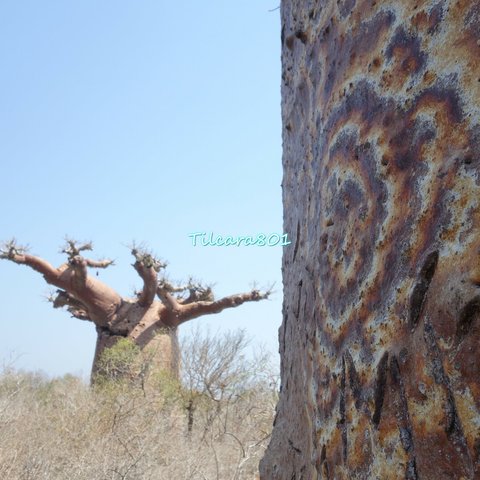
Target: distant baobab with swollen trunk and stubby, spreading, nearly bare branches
150 320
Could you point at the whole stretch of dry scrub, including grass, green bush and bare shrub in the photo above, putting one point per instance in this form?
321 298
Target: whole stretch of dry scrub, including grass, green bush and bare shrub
213 424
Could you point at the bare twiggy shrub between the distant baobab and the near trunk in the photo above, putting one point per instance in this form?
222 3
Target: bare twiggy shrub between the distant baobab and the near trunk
227 396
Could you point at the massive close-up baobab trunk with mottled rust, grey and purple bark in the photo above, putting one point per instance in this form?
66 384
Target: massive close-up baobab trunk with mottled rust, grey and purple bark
381 326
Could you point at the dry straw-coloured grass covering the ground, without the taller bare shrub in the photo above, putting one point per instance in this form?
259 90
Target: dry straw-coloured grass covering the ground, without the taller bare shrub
63 429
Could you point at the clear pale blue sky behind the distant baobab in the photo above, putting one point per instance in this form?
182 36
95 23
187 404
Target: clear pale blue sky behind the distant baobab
139 120
